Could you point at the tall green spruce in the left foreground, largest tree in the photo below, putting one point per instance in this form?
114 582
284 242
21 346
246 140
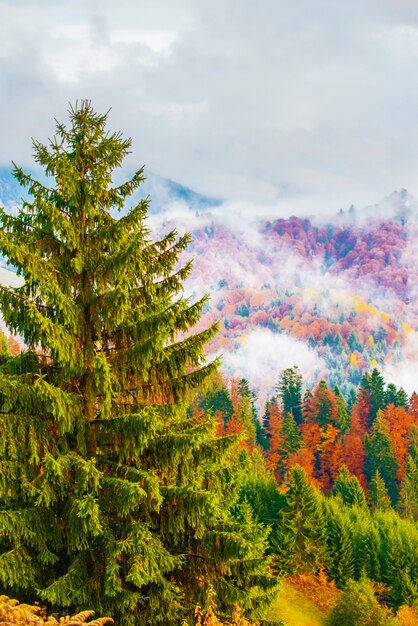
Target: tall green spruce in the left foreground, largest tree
112 496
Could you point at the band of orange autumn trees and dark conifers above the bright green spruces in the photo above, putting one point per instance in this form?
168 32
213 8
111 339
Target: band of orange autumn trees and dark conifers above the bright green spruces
373 433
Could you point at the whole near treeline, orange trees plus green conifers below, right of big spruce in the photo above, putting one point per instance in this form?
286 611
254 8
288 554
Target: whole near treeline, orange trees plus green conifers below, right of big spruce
344 497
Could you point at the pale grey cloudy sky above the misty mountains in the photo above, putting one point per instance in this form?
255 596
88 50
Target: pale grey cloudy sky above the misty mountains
303 105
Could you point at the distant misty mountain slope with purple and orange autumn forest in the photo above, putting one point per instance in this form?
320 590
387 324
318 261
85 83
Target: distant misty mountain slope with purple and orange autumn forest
339 295
